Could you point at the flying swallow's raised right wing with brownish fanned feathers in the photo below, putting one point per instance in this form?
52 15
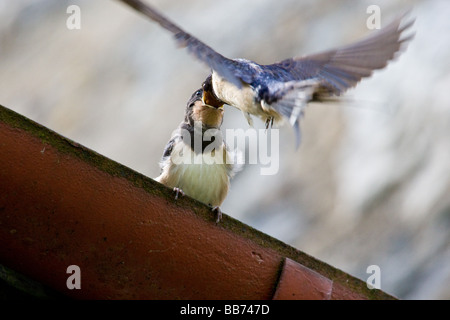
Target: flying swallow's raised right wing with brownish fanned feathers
342 68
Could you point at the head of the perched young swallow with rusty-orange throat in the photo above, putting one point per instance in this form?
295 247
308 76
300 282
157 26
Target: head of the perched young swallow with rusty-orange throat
197 110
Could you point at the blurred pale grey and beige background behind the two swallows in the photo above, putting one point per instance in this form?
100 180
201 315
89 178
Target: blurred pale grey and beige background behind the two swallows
370 183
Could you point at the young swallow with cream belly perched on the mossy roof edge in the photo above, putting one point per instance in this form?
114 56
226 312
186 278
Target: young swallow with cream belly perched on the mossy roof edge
196 160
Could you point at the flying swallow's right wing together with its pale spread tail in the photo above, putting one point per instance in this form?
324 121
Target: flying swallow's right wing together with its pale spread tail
299 80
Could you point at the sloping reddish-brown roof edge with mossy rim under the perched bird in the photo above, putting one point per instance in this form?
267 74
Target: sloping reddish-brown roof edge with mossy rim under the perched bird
62 204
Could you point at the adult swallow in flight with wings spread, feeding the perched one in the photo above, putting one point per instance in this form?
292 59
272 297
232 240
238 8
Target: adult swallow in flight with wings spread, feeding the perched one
281 91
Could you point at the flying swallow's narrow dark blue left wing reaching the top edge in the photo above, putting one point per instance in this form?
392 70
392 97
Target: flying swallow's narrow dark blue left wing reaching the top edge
233 71
